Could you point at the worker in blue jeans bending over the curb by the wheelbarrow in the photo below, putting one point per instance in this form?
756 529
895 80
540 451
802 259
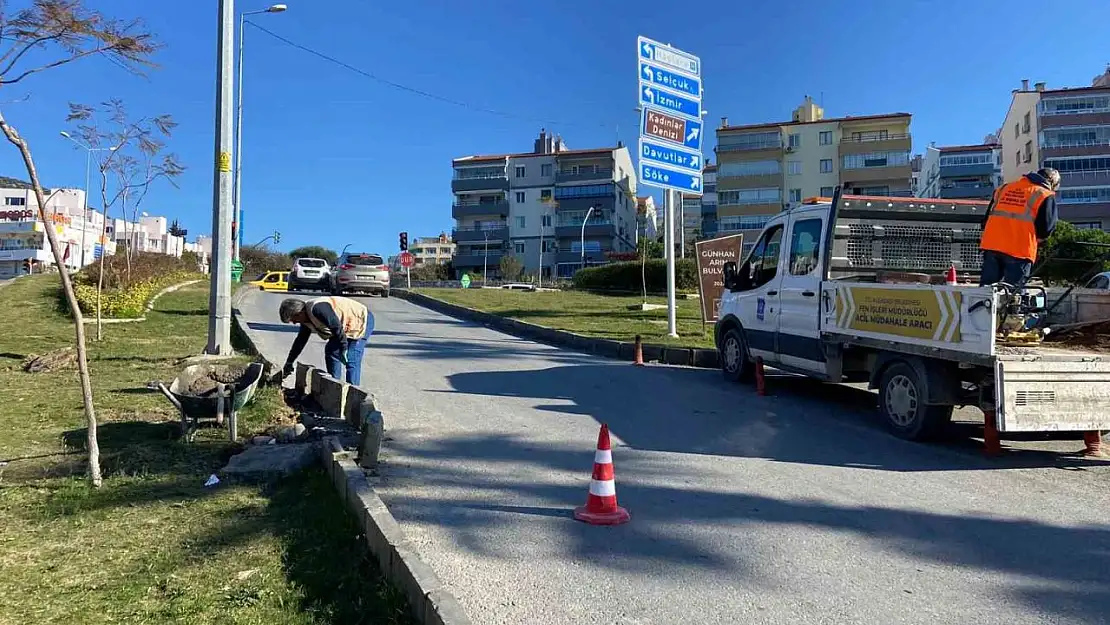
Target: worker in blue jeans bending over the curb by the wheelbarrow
345 324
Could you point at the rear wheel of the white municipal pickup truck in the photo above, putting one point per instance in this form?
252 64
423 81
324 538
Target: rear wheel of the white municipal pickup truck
903 397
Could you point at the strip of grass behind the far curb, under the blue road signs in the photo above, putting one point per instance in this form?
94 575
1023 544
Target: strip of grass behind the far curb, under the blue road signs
591 315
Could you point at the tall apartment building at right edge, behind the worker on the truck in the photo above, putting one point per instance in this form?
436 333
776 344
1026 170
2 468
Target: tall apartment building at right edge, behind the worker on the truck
1069 130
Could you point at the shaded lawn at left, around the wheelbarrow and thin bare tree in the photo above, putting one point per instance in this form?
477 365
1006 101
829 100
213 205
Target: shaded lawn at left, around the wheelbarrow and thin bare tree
154 546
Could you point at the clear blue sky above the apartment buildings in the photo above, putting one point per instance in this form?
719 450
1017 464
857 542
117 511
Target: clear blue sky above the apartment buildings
334 158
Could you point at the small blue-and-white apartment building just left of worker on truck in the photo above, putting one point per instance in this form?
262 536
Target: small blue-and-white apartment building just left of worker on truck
961 173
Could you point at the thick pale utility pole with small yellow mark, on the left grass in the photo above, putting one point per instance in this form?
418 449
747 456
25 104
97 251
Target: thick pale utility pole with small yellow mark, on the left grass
219 340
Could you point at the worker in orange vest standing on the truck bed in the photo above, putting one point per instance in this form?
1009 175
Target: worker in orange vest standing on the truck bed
1021 215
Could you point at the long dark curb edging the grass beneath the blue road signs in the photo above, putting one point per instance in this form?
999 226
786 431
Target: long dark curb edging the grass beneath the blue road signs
653 352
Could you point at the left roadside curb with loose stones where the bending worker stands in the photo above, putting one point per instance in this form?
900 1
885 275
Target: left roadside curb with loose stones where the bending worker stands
431 602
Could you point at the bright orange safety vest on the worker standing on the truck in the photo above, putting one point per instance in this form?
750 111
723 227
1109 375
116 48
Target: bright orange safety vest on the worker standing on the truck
1011 227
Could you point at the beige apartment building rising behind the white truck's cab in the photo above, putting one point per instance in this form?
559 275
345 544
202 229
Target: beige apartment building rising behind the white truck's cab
766 167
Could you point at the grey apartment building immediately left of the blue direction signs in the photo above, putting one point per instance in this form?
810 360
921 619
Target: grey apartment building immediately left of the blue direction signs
537 206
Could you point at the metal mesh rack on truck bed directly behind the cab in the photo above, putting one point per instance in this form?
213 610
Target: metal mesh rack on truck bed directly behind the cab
905 235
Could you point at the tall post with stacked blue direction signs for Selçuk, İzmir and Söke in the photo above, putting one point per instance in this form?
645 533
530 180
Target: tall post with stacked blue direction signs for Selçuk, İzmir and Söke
671 133
